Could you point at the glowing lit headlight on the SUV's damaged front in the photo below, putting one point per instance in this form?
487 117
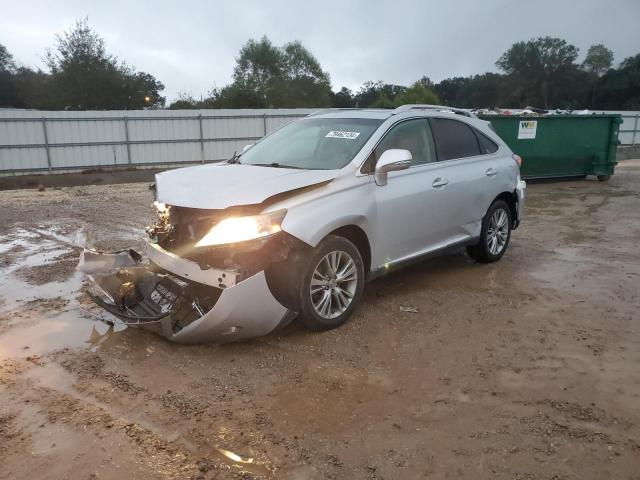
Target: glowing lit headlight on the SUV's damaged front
240 229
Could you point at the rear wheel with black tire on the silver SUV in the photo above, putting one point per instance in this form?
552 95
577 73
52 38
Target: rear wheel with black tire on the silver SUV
486 251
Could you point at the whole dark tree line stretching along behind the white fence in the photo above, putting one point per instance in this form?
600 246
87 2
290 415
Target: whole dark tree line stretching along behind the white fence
542 72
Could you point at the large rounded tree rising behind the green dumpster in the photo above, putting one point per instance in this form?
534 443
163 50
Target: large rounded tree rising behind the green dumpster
539 70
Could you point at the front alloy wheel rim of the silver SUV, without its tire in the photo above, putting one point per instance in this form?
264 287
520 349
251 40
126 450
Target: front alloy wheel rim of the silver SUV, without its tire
333 284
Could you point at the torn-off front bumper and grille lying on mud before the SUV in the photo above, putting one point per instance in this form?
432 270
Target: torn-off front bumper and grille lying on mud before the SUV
178 299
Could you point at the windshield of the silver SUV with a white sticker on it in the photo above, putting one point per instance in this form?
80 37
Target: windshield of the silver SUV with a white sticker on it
313 144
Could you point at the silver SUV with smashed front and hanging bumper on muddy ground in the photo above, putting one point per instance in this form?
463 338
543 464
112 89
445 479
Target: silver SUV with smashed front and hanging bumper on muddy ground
295 225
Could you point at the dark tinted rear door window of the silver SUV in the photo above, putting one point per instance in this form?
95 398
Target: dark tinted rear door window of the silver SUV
453 139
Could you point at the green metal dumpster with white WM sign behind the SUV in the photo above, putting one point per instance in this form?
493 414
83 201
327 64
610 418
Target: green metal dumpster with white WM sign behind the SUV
561 145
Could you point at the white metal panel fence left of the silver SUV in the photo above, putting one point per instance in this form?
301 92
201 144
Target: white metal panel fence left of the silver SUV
39 141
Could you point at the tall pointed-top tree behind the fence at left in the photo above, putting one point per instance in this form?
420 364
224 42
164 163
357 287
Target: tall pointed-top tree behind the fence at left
85 76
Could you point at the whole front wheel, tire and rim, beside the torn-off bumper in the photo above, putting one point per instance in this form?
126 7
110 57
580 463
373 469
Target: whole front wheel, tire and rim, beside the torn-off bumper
331 301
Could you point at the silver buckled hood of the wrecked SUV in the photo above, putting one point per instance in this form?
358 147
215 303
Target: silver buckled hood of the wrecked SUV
222 185
